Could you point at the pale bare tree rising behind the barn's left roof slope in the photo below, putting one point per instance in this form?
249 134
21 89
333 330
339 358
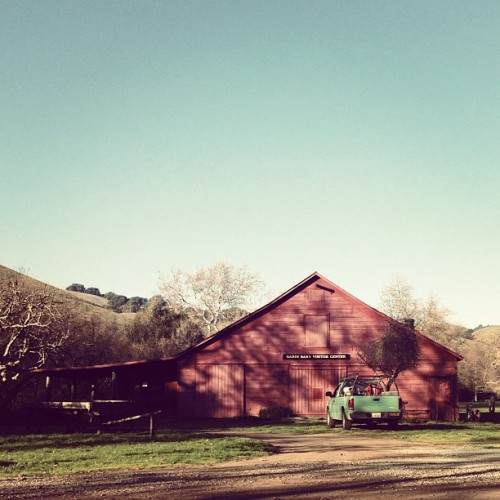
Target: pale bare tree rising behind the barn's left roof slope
212 294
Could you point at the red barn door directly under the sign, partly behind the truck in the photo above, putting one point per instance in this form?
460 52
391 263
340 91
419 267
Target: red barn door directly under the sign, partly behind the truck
308 385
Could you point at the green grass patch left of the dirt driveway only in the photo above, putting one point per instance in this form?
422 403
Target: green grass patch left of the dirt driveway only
68 453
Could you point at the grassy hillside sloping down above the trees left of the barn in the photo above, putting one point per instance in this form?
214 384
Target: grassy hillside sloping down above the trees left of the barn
82 304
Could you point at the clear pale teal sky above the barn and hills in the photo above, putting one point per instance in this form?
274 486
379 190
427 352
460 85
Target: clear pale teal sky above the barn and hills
358 139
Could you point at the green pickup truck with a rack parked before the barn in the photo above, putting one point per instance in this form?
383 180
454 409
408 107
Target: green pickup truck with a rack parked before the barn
363 400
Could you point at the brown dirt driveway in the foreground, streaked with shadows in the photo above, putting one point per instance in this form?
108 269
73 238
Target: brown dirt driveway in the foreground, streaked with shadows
309 466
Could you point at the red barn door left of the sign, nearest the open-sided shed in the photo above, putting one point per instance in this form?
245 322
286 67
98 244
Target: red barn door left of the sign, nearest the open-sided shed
219 391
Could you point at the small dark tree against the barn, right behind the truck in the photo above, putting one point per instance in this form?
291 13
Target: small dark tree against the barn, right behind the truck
394 352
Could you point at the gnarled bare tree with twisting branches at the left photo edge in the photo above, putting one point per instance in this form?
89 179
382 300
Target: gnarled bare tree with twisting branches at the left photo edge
30 328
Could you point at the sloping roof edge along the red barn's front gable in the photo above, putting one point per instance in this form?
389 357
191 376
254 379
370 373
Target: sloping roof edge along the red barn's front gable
311 279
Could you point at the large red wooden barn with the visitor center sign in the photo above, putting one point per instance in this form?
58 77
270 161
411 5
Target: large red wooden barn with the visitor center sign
291 351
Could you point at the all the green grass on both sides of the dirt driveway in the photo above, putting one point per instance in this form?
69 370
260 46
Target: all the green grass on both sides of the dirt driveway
200 442
